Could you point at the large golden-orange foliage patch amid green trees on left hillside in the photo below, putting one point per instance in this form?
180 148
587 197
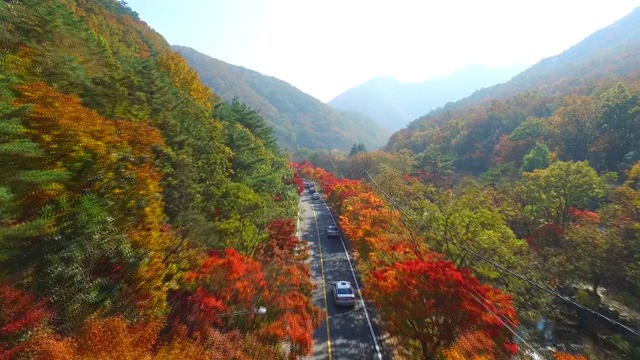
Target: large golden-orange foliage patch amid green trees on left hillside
120 163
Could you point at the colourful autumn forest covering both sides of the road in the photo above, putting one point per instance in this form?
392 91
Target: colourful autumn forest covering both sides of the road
140 212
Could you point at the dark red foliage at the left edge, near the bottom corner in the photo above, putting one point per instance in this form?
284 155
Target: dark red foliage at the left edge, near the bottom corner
20 313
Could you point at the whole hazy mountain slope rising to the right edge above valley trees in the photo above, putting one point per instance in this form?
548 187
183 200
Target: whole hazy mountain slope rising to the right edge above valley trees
582 104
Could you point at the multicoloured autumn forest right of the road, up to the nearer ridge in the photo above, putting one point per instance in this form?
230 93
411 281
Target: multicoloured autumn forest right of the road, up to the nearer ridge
533 199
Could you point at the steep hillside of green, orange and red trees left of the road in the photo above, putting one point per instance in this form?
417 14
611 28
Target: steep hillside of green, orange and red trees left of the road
137 210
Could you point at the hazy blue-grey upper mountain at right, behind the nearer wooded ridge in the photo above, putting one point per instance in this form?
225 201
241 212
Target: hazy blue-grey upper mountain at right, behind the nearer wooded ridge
612 52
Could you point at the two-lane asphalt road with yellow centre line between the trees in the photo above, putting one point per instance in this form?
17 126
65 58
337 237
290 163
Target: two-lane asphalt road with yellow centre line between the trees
345 333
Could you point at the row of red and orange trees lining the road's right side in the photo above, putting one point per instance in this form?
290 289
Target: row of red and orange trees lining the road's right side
422 297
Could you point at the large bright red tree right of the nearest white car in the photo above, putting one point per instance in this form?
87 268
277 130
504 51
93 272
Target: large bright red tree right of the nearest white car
428 301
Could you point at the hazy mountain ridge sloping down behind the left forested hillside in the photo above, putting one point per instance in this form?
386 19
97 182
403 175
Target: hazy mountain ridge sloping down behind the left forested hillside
298 119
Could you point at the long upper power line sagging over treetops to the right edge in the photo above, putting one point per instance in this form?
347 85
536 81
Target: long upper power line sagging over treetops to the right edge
505 269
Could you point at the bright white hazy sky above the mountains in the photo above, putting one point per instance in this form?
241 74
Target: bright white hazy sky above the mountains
324 47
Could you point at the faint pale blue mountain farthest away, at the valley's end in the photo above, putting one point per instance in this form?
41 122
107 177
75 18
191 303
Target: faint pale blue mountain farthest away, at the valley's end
394 104
